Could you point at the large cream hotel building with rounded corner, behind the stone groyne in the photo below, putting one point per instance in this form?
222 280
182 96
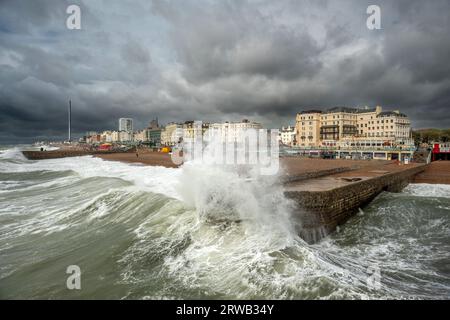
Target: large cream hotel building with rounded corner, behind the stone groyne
344 128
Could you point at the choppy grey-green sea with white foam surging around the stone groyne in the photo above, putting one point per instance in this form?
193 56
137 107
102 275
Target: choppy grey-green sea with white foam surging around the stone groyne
140 232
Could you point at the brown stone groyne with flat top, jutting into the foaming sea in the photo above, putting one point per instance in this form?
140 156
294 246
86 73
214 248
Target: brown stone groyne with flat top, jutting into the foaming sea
327 202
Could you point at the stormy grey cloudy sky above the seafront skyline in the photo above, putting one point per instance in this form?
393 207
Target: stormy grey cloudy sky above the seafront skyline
218 60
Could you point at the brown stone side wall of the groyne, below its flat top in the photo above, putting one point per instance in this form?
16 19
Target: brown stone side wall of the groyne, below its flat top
320 212
